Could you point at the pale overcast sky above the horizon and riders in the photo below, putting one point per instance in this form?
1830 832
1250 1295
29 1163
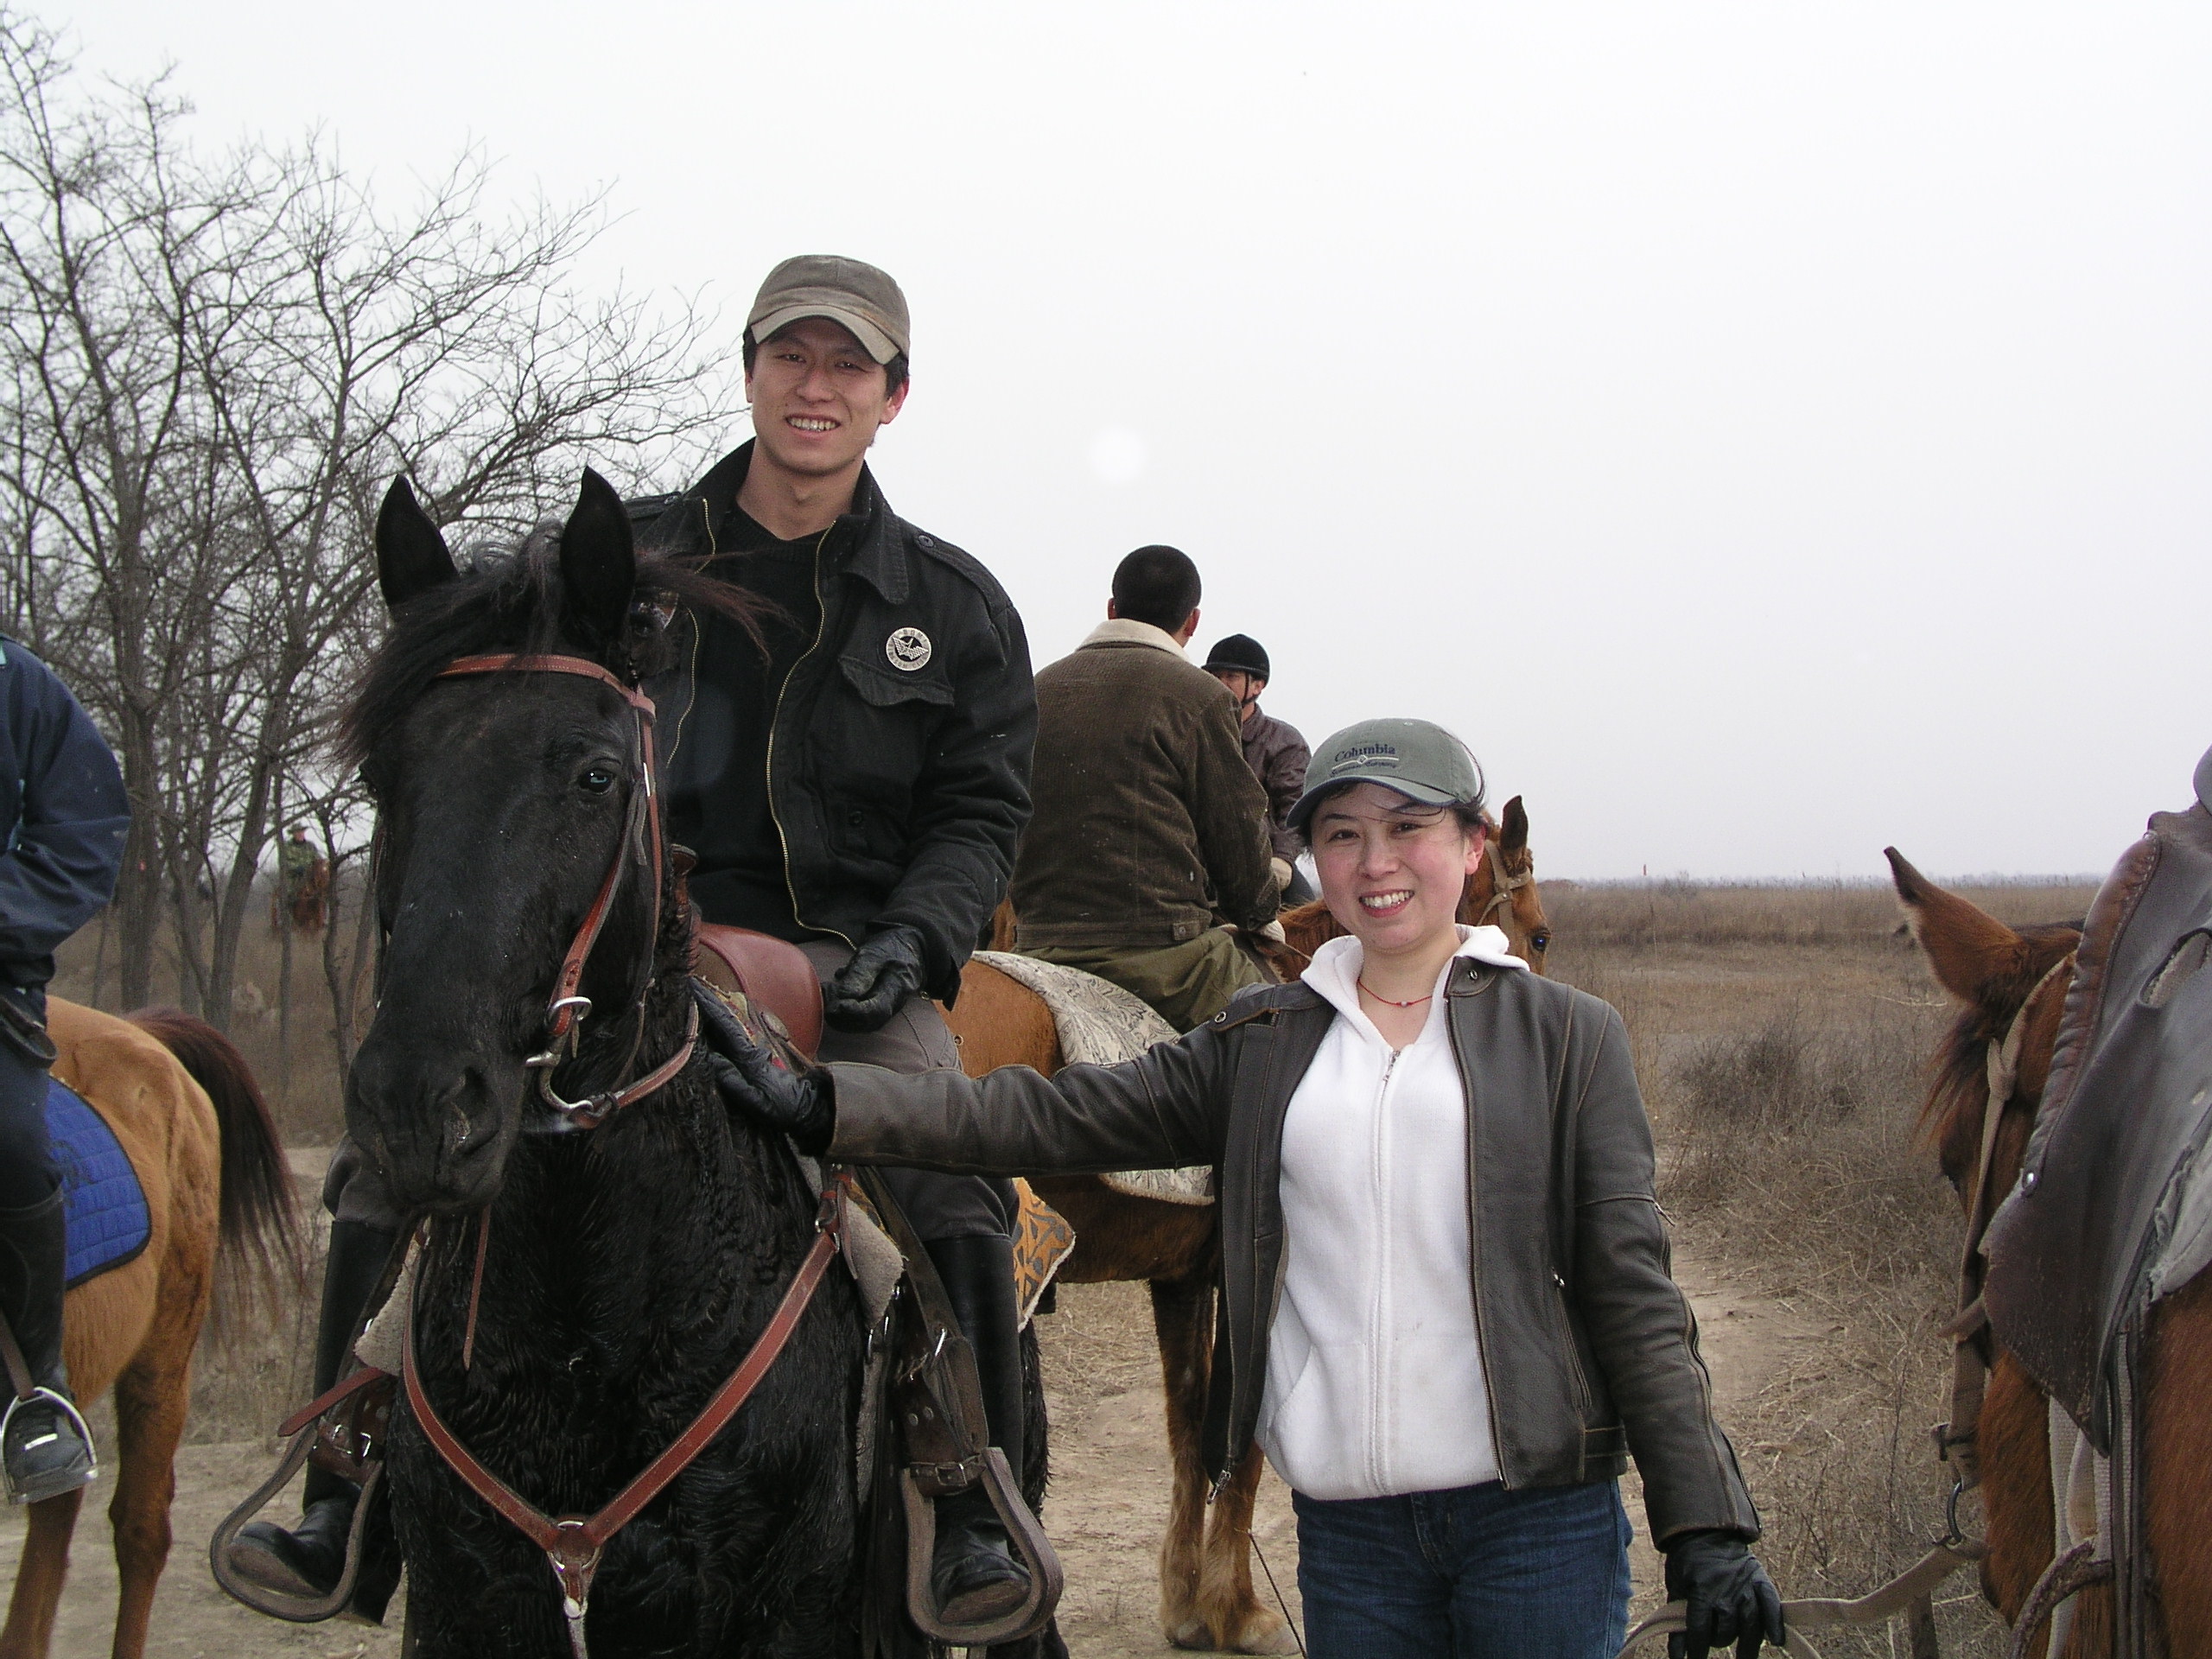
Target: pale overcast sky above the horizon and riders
1764 432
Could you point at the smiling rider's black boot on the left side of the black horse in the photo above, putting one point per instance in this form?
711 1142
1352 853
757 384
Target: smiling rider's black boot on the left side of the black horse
311 1558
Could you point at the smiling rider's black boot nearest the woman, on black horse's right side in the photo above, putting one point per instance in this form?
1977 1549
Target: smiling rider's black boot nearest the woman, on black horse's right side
977 1572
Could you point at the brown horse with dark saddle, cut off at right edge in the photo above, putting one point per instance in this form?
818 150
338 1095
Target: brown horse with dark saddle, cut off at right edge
2012 985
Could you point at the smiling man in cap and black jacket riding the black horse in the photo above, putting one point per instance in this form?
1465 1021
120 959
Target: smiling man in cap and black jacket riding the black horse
853 782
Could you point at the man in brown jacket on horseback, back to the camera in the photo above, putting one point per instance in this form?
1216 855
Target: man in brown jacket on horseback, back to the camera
1149 828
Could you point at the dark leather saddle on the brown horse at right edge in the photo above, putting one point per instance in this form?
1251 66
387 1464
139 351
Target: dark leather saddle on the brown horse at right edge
2087 1238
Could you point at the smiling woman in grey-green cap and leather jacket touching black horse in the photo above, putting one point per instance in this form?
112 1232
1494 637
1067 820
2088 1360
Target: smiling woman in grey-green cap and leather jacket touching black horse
1446 1297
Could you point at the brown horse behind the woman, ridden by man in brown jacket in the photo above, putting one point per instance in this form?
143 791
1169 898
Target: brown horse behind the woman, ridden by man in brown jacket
1207 1594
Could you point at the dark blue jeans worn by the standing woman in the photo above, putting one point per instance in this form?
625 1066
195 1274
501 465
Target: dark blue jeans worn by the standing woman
1468 1574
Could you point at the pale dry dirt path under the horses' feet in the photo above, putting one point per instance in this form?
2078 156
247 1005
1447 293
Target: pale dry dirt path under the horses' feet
1107 1512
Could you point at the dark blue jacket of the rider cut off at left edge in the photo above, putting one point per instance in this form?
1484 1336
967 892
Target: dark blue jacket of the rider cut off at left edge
63 813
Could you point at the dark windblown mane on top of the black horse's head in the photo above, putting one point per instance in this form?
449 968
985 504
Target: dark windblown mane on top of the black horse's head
514 601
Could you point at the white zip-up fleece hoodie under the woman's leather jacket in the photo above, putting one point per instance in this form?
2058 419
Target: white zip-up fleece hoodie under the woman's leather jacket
1375 1375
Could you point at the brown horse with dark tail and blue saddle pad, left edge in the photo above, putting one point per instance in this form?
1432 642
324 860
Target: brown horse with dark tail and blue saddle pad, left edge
218 1191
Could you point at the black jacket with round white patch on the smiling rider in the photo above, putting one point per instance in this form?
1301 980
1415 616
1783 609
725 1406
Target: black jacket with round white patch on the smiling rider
899 753
